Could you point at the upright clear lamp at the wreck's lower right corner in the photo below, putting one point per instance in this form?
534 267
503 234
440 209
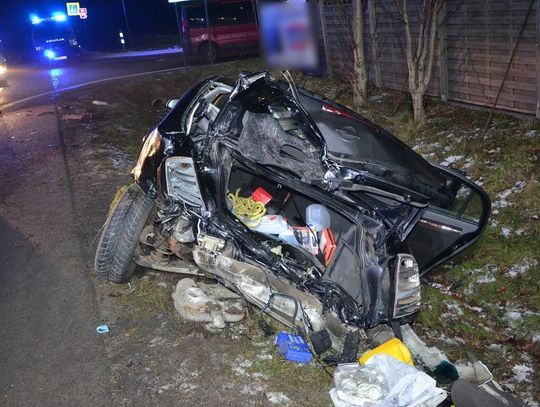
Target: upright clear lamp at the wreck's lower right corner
407 286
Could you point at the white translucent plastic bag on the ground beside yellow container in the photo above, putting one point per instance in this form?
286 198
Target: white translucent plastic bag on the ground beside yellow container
400 385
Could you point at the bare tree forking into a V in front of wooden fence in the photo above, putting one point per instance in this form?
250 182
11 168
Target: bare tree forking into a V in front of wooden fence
420 52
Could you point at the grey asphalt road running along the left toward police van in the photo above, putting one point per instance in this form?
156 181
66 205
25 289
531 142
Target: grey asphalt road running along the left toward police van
50 353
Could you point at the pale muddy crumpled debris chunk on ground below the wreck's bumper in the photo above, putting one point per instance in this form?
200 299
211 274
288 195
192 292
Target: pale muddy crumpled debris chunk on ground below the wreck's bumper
212 303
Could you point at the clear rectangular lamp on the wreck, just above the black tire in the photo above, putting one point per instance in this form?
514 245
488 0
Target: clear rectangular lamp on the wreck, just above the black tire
182 181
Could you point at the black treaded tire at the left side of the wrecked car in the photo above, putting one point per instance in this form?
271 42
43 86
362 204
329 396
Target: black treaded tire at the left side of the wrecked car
121 234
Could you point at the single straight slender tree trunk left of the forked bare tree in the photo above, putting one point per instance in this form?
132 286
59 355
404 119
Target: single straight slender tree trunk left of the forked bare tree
360 73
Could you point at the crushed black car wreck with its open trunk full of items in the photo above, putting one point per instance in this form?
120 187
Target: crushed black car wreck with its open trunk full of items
270 189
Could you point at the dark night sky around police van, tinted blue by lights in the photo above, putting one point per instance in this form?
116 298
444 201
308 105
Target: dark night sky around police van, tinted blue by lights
99 31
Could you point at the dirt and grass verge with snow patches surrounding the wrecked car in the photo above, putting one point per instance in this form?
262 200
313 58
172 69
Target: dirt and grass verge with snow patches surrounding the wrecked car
158 359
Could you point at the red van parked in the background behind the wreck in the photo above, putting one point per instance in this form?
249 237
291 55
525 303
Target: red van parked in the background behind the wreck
233 29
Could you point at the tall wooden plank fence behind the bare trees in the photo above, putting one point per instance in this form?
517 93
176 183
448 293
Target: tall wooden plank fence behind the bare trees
474 45
